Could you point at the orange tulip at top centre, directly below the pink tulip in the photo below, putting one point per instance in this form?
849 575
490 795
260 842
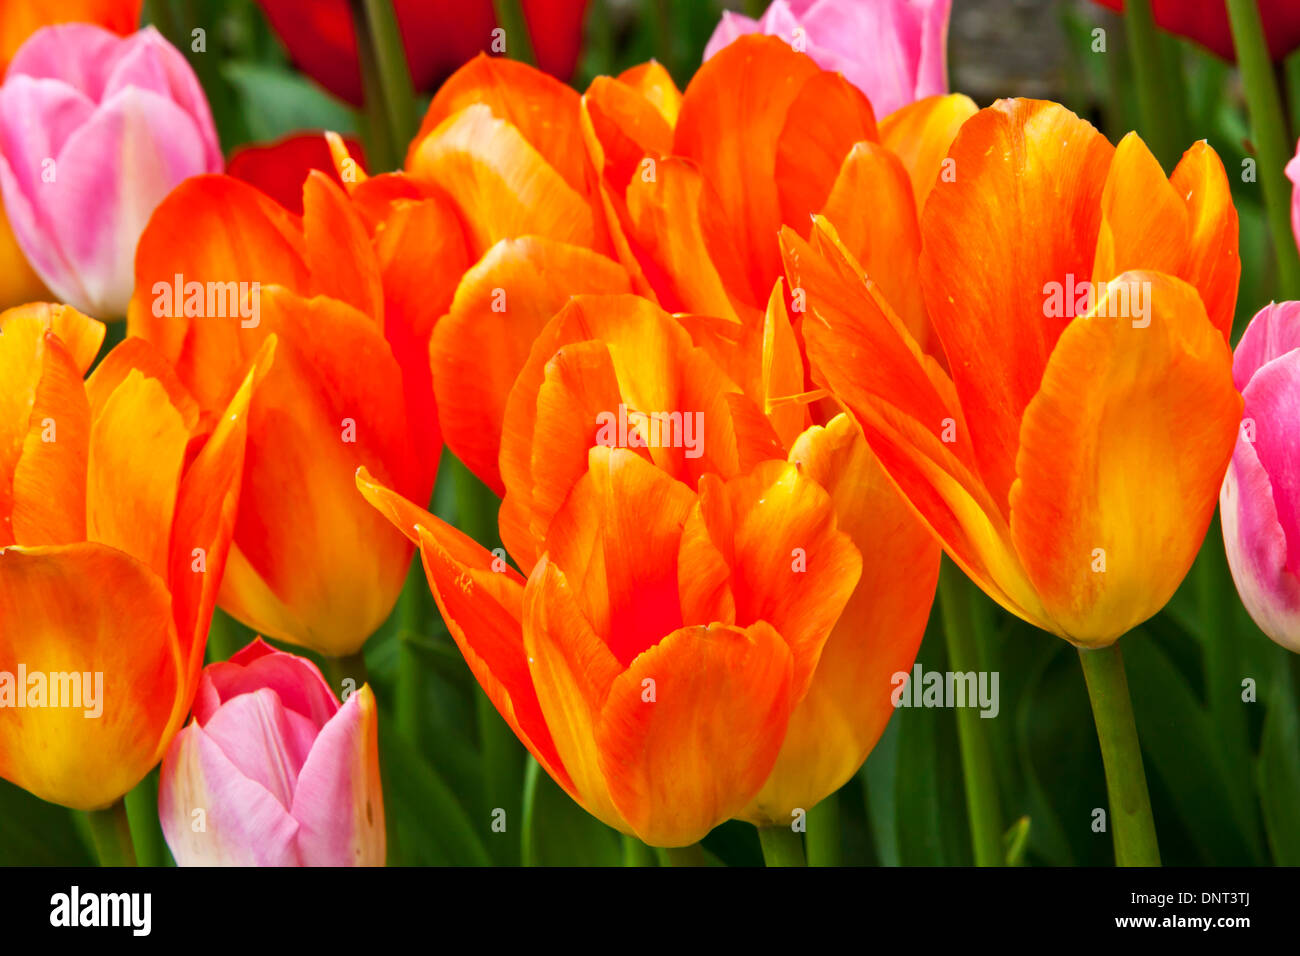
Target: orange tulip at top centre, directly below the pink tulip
697 188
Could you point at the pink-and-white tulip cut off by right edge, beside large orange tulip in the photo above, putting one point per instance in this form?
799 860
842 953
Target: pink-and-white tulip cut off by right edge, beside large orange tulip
1260 501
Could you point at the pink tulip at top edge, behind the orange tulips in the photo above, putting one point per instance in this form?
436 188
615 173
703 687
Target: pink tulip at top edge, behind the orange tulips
892 50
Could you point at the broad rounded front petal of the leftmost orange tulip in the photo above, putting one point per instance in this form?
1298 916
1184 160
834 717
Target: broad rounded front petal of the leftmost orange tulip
122 629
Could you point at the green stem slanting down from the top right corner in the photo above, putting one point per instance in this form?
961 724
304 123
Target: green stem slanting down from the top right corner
1269 132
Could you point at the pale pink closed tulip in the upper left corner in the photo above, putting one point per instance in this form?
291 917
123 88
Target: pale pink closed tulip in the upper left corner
96 131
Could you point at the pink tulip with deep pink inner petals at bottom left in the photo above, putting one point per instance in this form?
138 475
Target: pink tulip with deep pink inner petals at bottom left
272 772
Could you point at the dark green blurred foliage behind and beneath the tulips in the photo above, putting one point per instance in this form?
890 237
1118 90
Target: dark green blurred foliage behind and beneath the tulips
1224 772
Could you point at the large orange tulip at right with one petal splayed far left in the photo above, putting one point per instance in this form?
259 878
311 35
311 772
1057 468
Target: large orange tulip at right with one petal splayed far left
1072 461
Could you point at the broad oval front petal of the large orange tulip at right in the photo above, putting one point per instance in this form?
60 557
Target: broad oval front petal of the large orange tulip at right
1123 453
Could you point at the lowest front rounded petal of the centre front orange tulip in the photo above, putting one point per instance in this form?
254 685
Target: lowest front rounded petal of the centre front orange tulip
690 732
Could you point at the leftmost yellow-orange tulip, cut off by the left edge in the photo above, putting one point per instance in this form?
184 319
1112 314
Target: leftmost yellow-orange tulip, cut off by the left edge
118 507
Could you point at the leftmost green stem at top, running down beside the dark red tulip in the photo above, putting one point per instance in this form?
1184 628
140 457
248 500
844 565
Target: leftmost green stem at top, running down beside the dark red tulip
391 113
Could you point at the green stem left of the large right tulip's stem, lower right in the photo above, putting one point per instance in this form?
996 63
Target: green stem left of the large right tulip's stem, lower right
956 596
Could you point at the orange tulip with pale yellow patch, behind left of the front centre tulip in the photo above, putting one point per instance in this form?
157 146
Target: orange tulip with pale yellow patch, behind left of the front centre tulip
499 144
